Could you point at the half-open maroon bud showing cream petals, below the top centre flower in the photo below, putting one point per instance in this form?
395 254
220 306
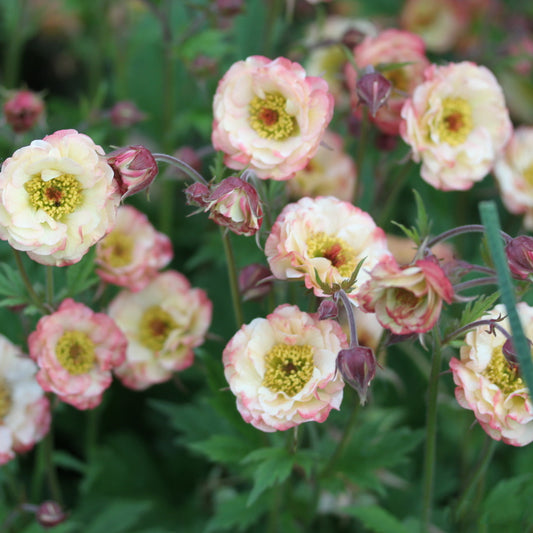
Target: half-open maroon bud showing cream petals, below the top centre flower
235 204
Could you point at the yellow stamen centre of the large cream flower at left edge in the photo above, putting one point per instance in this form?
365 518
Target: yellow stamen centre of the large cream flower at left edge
57 197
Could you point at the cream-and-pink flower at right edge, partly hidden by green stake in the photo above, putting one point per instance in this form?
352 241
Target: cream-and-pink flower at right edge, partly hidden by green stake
489 386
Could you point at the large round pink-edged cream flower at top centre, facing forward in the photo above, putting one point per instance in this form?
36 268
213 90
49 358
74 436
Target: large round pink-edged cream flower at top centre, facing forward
269 116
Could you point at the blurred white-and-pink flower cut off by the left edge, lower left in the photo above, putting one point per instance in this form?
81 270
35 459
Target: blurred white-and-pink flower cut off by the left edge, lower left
24 409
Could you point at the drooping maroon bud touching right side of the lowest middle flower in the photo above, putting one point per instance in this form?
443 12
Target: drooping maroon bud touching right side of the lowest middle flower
357 366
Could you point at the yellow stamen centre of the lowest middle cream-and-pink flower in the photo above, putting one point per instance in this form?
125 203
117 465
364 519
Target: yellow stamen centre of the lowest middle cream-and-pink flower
288 368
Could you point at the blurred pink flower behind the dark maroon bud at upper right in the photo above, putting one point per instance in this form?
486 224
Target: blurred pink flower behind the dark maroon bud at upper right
390 46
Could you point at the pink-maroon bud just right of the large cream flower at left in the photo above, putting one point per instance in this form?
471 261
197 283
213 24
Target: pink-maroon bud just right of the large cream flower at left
135 168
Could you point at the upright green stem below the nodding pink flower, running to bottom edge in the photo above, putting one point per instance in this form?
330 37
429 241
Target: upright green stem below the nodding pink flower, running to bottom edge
431 432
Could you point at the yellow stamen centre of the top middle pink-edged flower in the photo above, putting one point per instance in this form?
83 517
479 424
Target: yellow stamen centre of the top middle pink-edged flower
269 118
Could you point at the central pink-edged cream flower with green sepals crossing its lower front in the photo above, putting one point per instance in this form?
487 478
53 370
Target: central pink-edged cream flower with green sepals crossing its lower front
325 236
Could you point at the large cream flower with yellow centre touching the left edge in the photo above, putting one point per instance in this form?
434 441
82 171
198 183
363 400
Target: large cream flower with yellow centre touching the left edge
57 198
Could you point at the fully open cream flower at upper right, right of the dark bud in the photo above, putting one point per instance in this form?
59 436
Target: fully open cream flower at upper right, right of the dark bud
456 123
